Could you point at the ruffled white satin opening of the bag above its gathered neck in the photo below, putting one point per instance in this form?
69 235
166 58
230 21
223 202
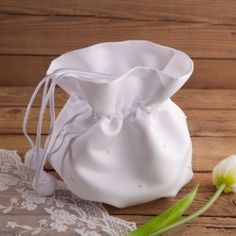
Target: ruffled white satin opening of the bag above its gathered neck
125 74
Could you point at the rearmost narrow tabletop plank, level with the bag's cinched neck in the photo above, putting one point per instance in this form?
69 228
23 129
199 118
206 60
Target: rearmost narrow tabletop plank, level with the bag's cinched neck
203 99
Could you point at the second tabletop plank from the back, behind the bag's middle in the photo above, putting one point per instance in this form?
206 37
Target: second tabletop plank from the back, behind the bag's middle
201 122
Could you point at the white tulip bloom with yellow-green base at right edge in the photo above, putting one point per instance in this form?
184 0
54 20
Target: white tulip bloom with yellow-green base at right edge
225 173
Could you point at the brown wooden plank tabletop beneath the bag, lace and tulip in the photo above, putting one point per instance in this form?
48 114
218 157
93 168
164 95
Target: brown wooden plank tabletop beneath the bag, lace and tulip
212 115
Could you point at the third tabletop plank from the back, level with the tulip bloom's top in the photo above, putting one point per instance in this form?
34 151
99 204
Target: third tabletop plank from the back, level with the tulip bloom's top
207 151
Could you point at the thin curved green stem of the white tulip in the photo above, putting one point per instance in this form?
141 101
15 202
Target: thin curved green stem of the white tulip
195 214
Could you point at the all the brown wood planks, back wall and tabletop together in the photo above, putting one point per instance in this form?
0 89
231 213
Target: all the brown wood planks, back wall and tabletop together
32 33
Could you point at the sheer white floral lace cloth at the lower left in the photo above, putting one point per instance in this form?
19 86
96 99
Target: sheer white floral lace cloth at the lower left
23 212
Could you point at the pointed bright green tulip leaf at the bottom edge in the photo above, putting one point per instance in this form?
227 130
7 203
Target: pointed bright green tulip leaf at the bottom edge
168 217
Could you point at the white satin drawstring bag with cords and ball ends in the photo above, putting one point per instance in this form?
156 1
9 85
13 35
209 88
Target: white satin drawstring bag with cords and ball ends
119 139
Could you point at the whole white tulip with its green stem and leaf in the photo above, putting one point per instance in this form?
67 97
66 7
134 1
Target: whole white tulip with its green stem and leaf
224 178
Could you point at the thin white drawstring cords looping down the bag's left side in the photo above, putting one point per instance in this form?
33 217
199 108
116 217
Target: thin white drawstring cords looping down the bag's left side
48 98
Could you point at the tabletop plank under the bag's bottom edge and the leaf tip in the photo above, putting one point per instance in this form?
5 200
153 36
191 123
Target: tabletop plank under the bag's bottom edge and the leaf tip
225 206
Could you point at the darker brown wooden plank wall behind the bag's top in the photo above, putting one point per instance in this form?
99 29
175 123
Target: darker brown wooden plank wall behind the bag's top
34 32
